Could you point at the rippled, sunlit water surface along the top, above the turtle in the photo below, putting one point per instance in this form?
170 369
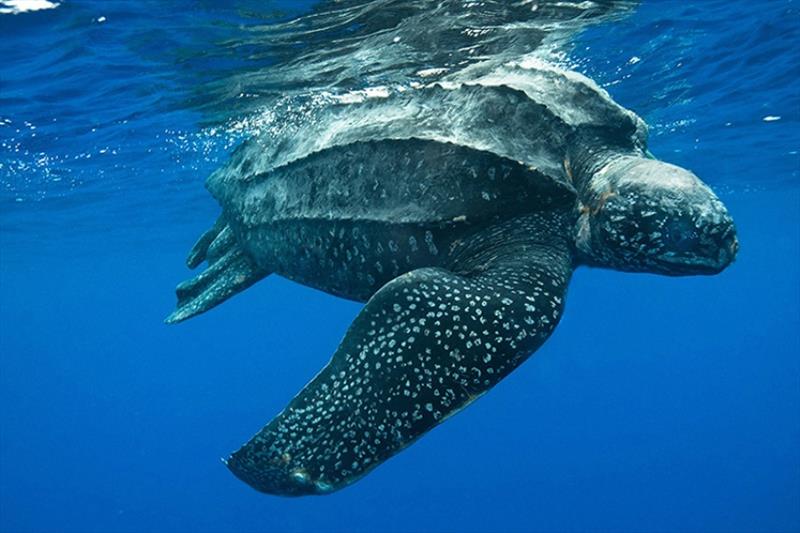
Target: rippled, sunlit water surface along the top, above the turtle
106 97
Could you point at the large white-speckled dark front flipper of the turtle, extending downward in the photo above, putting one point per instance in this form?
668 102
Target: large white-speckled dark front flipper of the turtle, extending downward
424 347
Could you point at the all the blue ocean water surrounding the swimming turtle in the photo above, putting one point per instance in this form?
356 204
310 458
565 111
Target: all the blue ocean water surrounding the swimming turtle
659 404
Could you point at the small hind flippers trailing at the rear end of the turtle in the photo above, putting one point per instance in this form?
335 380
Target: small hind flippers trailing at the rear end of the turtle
229 271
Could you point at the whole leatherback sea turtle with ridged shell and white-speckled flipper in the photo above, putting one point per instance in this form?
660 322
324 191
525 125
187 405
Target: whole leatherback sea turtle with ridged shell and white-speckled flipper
457 211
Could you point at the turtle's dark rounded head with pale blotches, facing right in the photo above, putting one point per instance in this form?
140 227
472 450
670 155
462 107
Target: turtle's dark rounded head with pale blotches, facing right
645 215
